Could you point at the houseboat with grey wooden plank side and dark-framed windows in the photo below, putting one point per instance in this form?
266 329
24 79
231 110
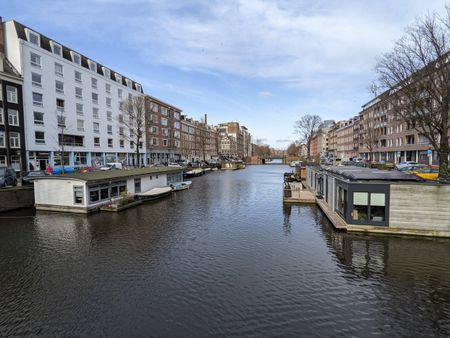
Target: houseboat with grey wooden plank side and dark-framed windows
372 200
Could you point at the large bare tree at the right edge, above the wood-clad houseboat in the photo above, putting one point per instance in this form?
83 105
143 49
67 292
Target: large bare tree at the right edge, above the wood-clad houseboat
417 75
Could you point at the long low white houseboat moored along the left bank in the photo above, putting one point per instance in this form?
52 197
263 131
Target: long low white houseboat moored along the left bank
87 192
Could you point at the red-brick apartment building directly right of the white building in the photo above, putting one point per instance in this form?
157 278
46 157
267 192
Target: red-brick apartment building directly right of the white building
163 131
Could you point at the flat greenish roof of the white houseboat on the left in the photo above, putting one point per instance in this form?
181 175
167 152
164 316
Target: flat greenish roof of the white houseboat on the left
113 174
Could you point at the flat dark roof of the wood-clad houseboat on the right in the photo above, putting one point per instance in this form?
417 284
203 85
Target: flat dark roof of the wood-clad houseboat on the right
367 174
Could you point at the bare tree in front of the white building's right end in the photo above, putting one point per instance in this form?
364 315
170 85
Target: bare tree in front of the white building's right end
134 109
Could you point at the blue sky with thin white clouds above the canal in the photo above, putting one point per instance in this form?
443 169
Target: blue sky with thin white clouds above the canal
261 63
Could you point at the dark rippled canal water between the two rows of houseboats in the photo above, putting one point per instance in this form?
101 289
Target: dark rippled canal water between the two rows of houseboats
225 258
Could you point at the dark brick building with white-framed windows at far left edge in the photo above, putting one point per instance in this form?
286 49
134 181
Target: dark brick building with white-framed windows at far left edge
12 131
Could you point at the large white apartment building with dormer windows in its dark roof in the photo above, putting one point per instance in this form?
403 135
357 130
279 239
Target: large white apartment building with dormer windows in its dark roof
69 100
